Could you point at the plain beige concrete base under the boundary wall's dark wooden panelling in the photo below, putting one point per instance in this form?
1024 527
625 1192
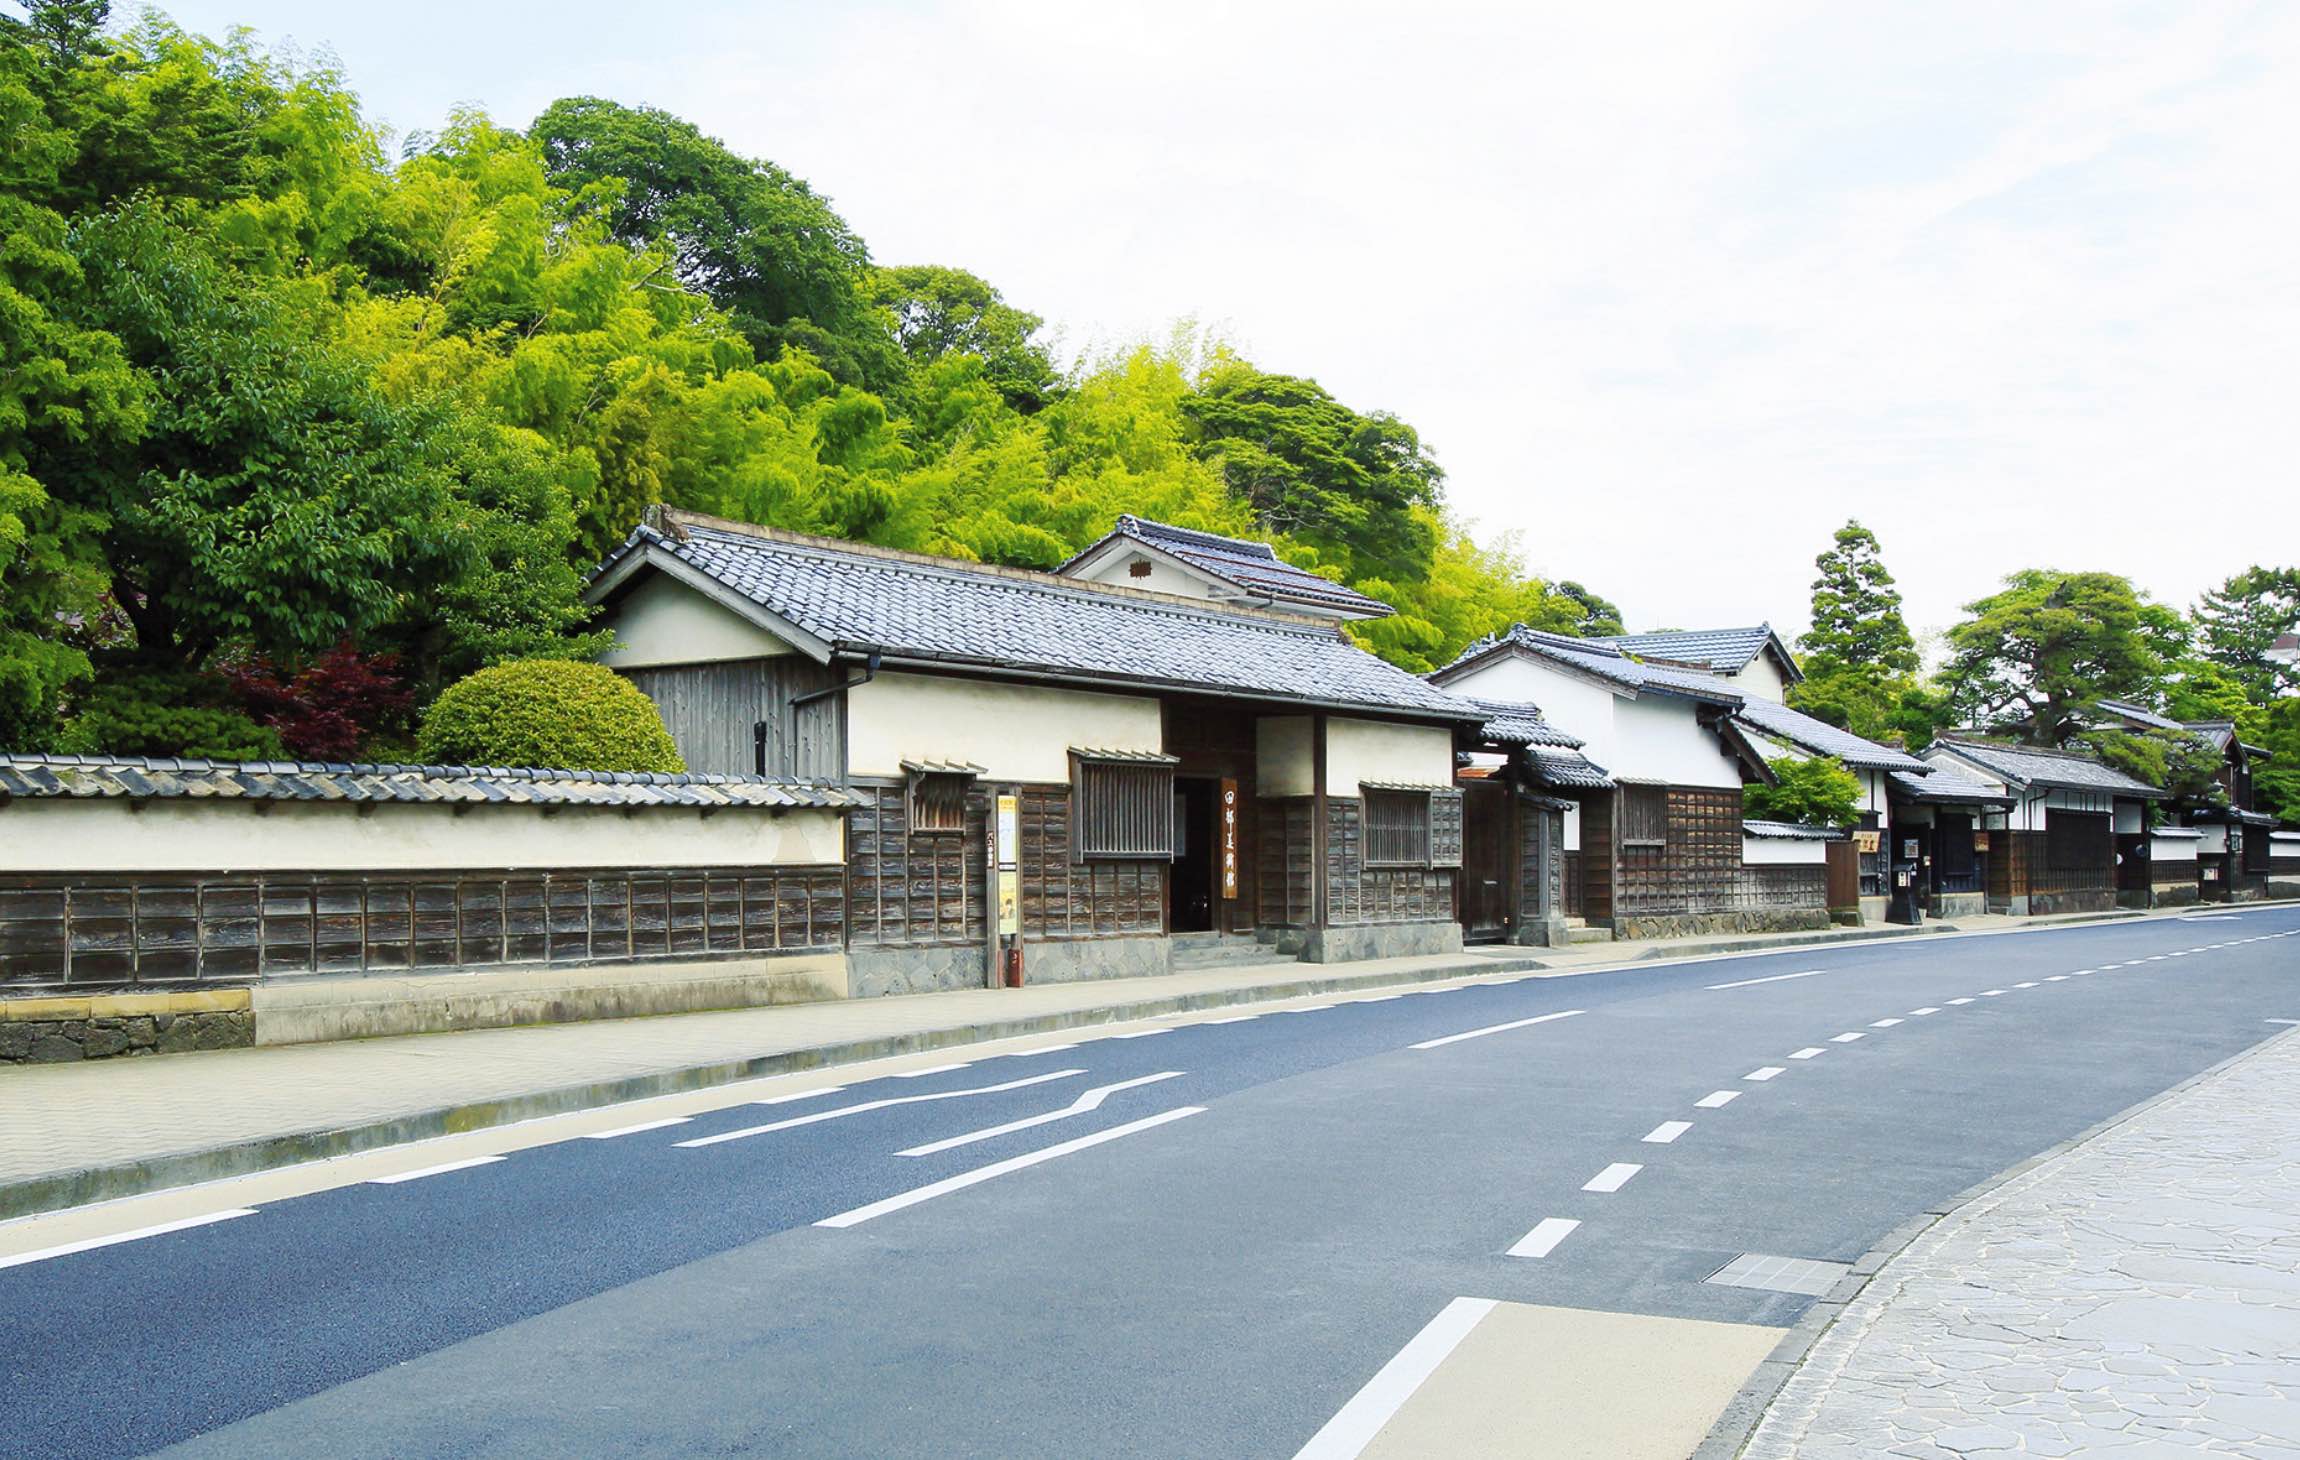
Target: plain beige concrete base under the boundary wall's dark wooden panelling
346 1008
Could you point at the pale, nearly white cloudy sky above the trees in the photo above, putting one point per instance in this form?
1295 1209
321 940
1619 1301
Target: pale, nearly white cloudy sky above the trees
1669 289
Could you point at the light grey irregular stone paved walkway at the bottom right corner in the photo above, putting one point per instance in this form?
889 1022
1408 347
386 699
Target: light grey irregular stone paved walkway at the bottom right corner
2133 1298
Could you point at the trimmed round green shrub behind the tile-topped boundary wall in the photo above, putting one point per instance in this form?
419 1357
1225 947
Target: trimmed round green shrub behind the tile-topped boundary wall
551 716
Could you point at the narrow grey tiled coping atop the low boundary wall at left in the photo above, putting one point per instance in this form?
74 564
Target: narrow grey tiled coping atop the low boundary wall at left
325 781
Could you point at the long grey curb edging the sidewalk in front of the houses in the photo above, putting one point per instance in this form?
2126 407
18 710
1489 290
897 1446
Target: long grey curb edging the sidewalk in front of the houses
266 1153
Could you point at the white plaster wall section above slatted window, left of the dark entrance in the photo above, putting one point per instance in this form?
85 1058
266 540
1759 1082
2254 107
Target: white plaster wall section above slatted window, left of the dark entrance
1013 732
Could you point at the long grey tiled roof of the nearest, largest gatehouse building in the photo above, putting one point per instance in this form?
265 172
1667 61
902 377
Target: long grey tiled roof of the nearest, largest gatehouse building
857 601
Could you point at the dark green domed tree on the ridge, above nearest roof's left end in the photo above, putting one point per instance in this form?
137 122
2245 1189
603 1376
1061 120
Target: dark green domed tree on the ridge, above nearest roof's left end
749 236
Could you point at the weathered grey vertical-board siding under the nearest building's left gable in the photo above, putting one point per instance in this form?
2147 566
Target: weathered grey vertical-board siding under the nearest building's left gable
712 712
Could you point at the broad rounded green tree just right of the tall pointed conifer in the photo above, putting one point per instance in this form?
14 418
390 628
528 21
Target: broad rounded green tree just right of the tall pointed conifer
2037 654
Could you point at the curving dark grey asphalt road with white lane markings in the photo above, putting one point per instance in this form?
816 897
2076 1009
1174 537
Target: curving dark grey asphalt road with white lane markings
1232 1227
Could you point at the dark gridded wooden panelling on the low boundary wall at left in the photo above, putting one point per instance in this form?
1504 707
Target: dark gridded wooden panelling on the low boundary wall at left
178 930
